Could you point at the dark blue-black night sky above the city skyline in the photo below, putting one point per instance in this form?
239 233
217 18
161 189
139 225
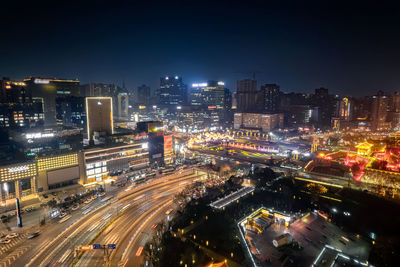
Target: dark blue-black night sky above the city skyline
348 49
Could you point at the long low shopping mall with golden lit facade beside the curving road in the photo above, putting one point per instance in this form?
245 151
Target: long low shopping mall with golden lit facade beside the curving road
93 165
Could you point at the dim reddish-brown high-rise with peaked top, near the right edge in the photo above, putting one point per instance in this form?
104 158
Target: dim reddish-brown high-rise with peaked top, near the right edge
379 112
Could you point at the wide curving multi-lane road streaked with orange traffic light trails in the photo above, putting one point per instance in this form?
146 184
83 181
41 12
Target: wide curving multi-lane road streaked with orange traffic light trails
124 218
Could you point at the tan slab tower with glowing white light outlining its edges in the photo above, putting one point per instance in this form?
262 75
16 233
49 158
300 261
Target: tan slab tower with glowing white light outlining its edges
99 116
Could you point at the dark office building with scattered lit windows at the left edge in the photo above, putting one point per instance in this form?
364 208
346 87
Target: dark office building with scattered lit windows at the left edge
17 106
